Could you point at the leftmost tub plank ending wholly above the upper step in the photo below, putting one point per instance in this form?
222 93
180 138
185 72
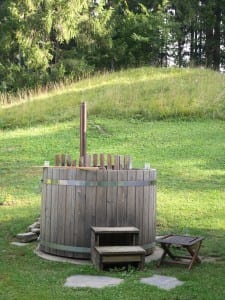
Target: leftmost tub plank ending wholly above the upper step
101 209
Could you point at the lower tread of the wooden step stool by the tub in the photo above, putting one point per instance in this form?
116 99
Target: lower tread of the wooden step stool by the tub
110 250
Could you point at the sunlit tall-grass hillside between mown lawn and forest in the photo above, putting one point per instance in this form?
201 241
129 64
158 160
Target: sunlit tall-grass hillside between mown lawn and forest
143 93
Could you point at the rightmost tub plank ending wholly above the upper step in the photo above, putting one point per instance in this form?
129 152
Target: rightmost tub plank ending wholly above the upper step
131 208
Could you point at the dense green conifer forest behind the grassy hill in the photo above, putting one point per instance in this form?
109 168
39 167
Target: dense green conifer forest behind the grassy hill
44 41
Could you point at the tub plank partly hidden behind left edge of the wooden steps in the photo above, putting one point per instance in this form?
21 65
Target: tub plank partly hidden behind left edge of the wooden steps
91 194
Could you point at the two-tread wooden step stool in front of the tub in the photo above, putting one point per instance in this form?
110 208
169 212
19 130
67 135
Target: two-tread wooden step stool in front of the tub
111 245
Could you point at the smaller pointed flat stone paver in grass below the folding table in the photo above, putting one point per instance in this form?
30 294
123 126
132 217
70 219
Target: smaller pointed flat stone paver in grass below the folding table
163 282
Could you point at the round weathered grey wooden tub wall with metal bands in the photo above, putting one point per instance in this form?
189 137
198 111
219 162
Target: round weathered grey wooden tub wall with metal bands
73 200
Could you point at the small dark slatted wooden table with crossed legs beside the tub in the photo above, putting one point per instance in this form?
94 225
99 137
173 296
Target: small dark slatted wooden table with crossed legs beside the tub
191 243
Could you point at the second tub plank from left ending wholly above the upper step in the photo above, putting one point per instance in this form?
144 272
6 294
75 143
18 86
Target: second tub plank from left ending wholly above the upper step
111 205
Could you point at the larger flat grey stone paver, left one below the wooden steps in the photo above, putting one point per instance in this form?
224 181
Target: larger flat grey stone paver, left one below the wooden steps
91 281
